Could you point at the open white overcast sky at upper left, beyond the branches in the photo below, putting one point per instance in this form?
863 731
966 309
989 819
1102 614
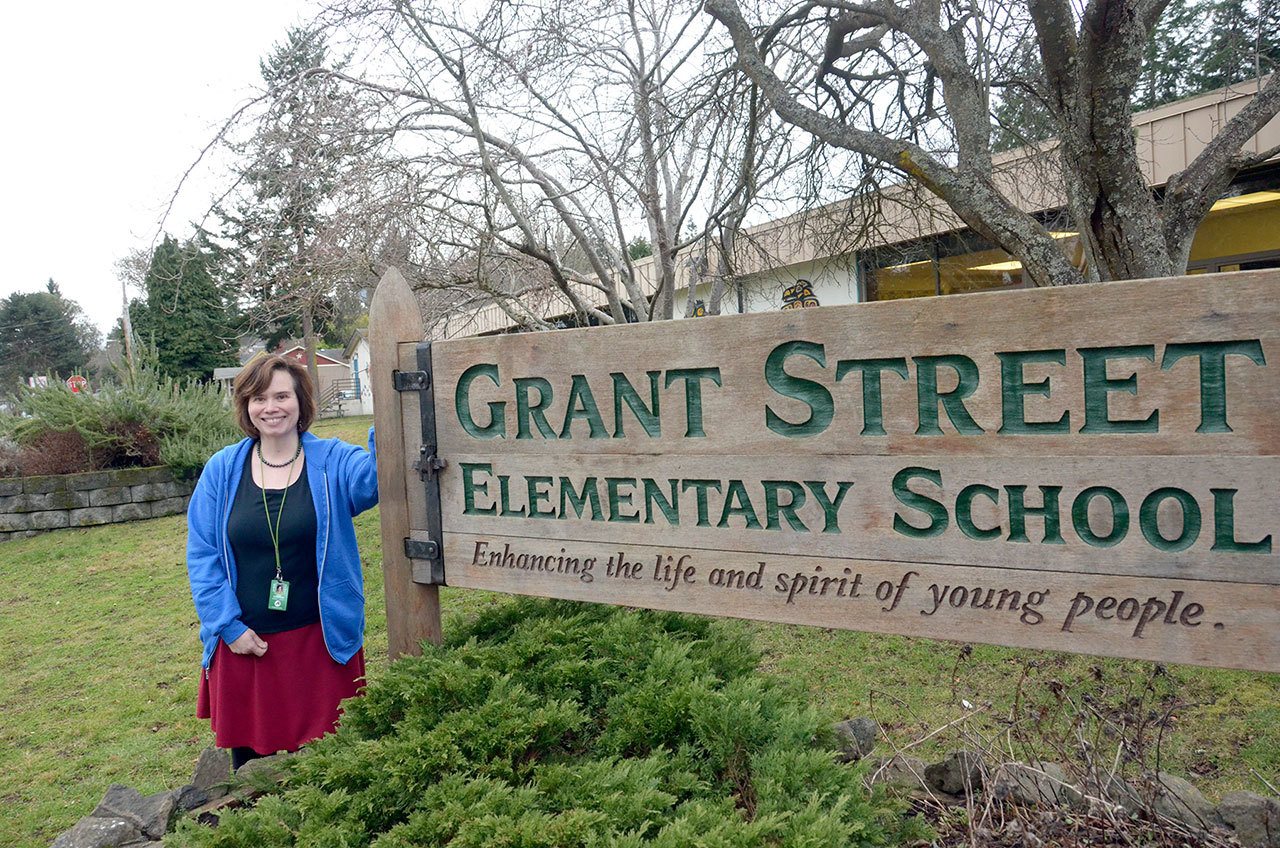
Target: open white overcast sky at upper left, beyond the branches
107 104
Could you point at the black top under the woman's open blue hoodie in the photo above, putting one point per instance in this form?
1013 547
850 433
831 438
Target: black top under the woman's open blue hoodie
255 557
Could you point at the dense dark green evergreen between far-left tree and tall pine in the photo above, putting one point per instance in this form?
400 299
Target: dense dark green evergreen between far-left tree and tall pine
185 316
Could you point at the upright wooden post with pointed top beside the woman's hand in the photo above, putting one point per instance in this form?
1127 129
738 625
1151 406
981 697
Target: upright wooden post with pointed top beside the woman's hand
413 610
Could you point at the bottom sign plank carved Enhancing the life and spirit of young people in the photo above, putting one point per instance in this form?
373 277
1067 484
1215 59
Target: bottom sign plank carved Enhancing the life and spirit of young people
1217 624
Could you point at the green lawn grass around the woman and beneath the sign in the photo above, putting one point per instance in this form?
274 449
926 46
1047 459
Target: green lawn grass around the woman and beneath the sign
99 664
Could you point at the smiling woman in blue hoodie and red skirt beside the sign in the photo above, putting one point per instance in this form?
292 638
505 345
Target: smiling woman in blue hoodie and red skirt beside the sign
275 569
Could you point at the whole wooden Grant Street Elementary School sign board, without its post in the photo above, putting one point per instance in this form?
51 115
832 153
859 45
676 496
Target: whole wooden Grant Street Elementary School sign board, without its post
1089 469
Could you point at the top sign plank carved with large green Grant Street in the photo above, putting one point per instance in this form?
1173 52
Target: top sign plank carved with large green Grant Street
1116 331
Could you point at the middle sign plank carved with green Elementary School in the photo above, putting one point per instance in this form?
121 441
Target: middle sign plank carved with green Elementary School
694 503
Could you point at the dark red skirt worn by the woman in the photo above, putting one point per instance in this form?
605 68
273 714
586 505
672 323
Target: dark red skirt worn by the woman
282 700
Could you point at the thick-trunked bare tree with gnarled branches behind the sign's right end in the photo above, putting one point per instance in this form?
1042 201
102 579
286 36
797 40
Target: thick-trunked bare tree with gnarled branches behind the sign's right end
908 86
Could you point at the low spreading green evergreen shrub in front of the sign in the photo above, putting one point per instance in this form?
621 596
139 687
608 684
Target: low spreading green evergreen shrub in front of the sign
552 724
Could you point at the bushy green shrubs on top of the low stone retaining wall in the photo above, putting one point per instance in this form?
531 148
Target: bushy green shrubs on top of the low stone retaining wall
141 420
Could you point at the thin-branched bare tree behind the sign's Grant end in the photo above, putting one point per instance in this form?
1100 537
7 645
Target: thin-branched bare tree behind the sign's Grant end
534 142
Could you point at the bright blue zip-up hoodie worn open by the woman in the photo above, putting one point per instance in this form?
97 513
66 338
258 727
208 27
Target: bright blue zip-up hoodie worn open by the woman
344 481
